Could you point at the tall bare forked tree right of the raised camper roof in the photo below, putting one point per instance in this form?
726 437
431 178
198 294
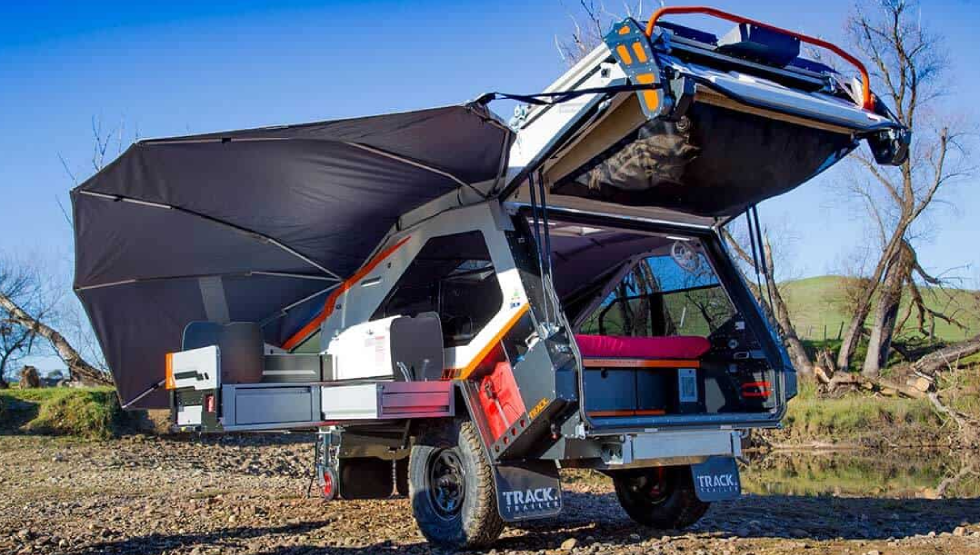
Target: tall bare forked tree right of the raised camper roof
909 64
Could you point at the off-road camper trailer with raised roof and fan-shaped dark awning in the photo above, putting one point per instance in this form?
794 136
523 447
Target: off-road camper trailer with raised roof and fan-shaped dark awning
482 304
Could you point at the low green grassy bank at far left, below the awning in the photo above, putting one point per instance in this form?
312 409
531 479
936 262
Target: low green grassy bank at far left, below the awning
91 413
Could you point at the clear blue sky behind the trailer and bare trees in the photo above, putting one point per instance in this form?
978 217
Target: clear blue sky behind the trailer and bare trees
178 67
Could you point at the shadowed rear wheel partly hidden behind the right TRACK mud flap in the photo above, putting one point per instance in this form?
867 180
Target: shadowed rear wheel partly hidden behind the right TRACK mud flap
661 497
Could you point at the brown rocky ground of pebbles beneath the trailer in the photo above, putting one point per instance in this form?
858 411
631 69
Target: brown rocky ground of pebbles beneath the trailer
151 495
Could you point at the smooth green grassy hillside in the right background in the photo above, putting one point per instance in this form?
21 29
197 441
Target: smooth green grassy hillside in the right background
816 303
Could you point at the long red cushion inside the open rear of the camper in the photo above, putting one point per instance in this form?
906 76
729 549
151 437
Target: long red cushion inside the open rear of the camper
617 346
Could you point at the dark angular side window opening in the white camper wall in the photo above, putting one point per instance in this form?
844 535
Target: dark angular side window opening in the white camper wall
454 277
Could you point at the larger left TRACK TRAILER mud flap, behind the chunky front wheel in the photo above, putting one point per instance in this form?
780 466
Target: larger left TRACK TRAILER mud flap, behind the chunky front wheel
528 490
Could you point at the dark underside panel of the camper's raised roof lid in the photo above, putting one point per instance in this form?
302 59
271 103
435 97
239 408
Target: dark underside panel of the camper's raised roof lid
714 163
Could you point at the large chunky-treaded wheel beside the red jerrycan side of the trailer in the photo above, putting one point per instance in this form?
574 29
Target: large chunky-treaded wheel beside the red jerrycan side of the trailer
452 489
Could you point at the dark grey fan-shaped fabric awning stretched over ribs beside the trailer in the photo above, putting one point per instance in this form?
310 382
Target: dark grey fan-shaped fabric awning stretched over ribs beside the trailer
255 225
